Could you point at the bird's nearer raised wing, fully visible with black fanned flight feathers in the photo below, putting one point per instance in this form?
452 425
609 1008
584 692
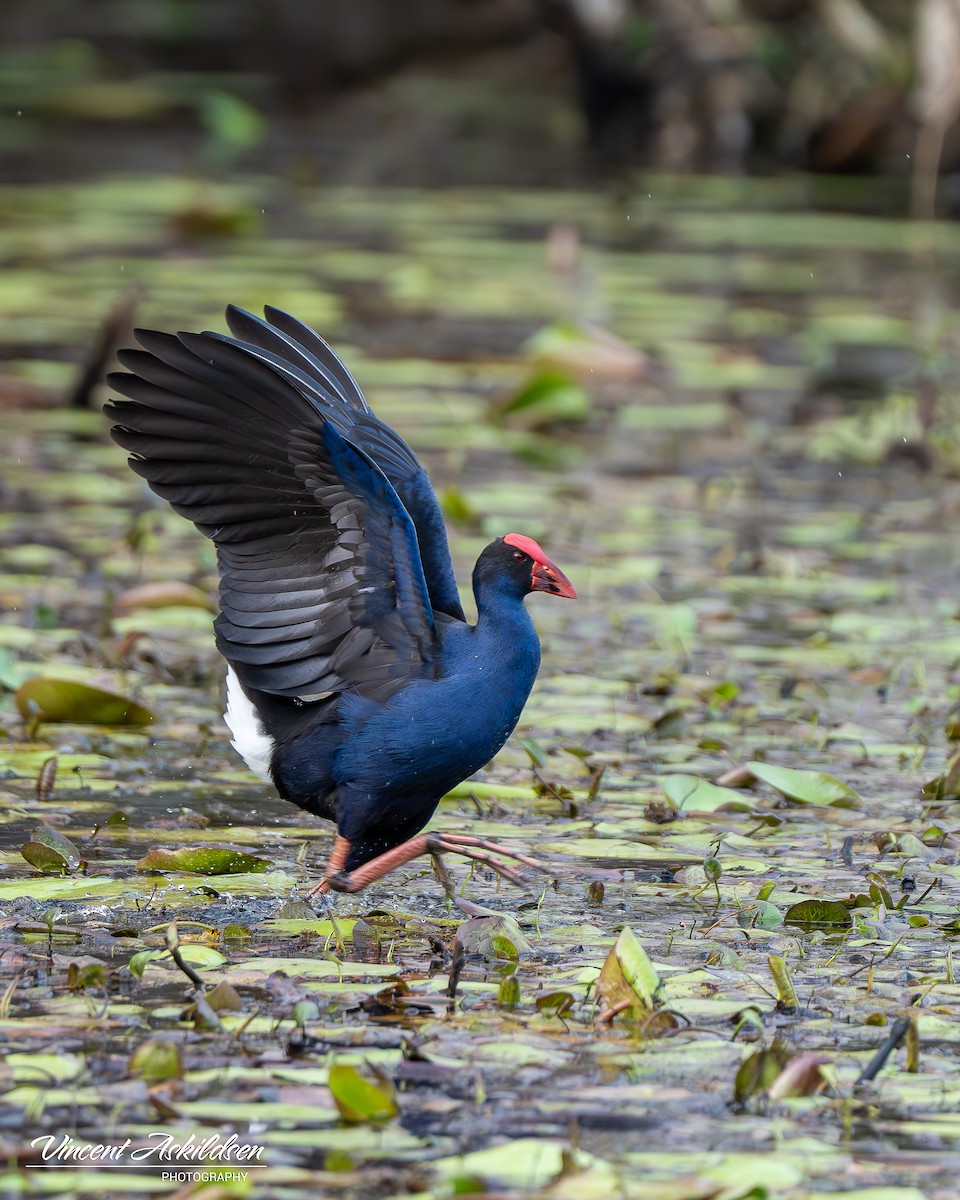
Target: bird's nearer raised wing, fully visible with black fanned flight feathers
322 584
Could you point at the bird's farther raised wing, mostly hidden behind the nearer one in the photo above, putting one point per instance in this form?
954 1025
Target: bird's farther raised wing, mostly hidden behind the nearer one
295 351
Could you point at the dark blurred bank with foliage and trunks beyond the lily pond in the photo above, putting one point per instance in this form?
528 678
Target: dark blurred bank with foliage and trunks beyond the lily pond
508 92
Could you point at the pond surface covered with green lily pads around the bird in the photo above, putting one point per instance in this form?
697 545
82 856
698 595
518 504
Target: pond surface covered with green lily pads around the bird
736 977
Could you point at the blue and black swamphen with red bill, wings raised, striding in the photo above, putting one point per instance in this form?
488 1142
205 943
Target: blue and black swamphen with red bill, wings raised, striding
356 685
